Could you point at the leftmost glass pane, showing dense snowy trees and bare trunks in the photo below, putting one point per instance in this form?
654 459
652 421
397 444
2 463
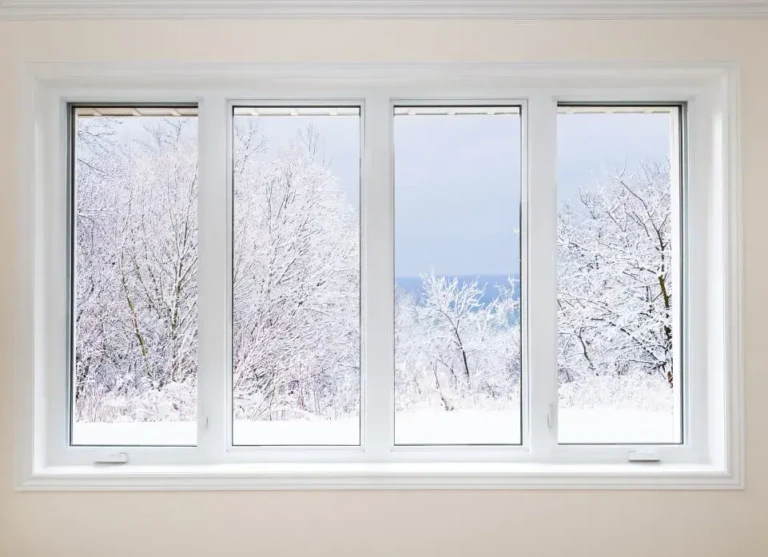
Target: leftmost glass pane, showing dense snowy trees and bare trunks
135 276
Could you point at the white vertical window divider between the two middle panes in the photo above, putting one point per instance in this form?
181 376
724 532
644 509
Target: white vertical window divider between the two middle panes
377 280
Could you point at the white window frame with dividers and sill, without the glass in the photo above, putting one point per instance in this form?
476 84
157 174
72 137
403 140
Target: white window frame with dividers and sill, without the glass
712 454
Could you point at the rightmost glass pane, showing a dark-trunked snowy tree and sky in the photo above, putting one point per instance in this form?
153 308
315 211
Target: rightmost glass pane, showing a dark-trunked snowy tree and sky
618 267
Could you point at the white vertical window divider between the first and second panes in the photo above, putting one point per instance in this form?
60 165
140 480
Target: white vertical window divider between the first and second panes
214 270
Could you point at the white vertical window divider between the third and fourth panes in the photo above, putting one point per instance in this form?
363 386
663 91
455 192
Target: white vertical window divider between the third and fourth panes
540 256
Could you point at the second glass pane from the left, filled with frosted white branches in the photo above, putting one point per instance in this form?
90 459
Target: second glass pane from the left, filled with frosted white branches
296 276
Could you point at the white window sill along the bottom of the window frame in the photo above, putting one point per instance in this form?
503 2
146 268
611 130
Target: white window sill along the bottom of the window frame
380 476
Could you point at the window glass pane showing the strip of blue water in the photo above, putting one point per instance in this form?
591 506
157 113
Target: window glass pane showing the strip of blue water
457 275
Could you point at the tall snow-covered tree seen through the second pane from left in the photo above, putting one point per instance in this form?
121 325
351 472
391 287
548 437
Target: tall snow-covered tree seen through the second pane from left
296 285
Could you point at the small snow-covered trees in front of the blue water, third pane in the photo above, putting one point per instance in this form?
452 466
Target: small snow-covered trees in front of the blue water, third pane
453 349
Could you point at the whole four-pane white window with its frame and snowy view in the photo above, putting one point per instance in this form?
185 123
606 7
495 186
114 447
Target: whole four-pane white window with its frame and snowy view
431 280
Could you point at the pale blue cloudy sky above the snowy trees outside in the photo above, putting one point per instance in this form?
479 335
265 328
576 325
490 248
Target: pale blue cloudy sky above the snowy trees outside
457 178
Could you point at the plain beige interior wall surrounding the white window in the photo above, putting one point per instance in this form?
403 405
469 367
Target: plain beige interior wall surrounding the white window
447 523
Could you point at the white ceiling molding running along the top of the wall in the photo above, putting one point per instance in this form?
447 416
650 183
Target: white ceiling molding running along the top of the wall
382 9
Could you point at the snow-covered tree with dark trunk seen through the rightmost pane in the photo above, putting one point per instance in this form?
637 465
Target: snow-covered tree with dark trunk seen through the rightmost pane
615 298
